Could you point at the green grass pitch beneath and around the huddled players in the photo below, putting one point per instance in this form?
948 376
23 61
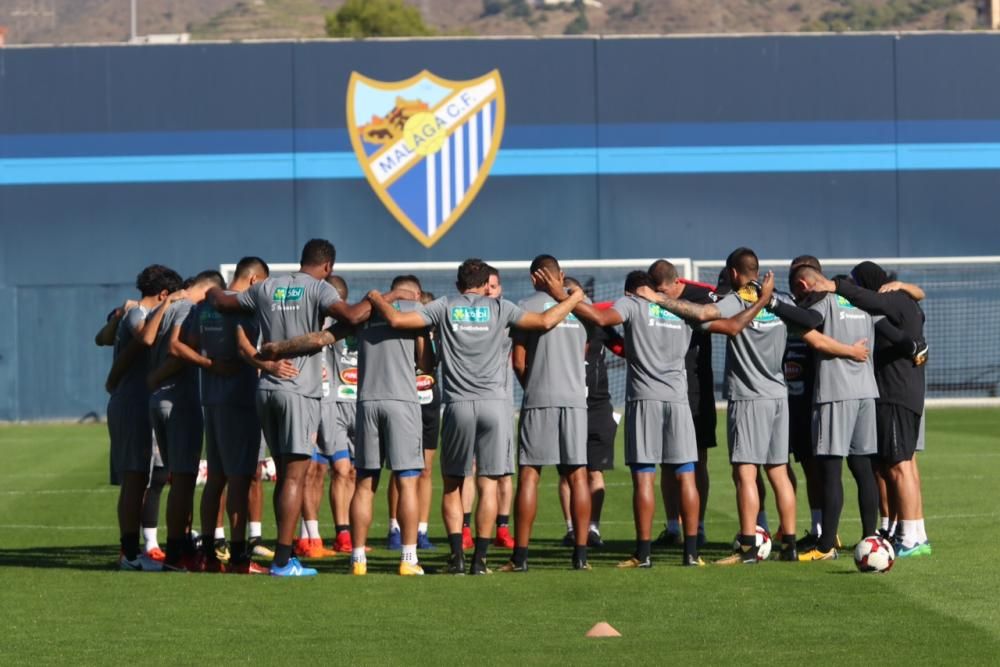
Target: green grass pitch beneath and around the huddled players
63 602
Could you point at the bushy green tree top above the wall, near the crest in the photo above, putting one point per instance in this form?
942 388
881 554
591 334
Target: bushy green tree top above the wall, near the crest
376 18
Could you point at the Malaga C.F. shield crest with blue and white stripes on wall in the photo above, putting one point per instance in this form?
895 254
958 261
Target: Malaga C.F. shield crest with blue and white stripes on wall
426 144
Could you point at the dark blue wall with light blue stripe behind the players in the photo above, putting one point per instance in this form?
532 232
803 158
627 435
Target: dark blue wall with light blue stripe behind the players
115 157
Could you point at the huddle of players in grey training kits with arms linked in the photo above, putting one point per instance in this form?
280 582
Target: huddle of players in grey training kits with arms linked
832 370
